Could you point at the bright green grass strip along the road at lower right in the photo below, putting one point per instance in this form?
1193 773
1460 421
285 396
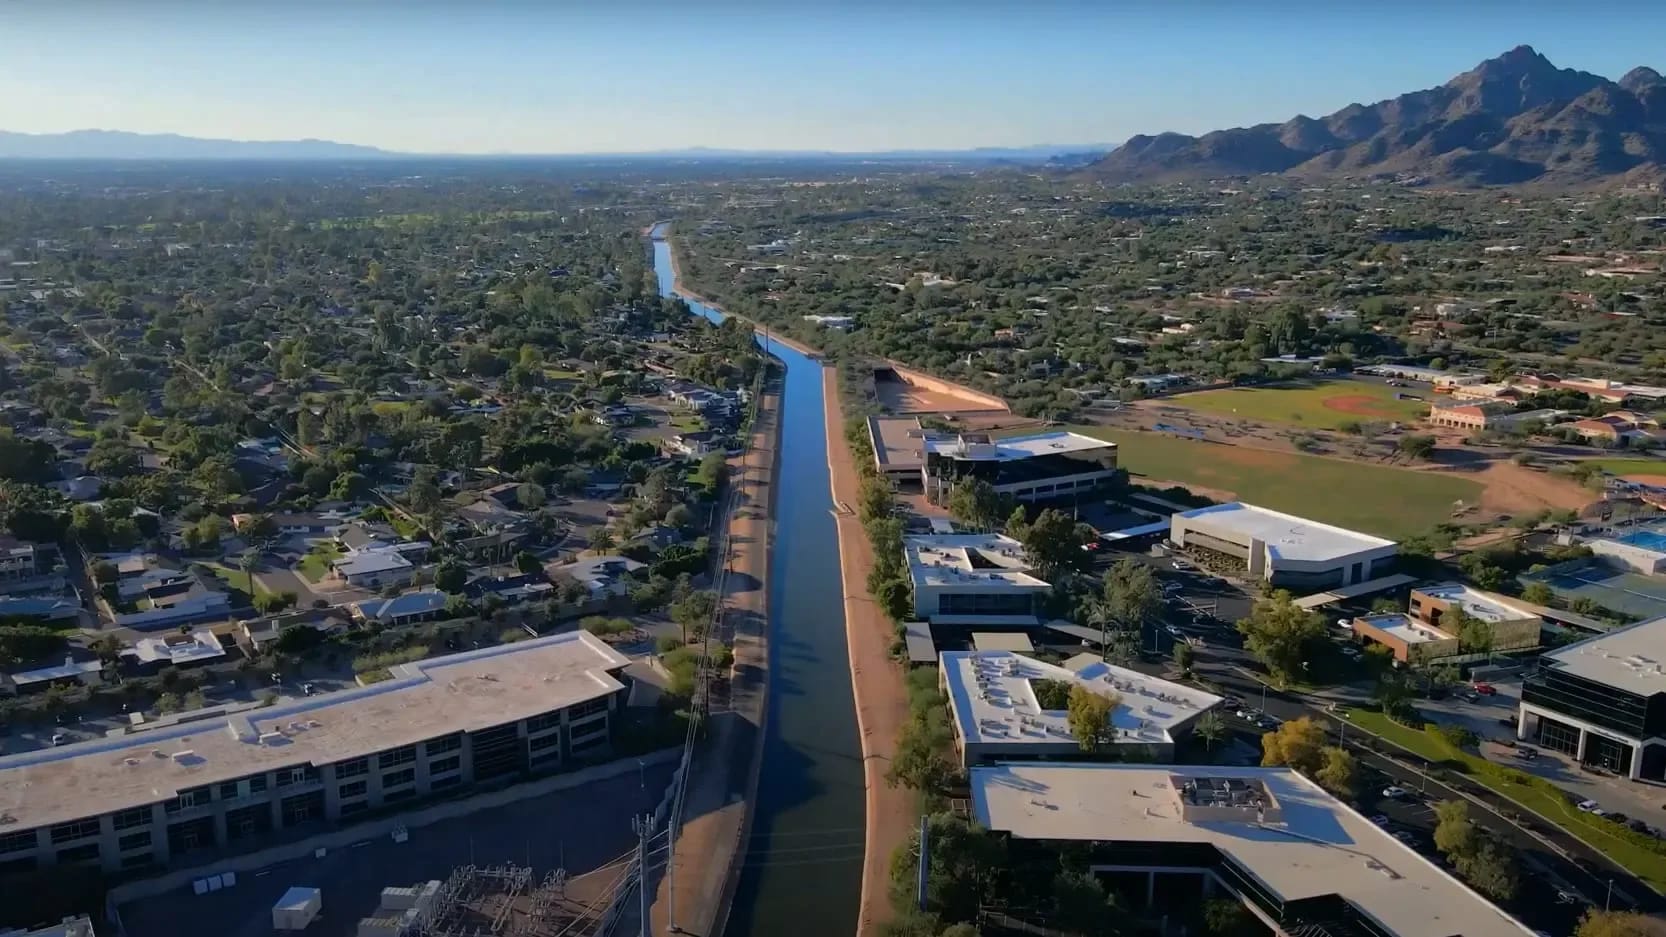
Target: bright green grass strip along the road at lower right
1640 854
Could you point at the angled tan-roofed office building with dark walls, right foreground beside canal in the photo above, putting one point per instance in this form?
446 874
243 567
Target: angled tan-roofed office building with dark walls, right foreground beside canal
1174 836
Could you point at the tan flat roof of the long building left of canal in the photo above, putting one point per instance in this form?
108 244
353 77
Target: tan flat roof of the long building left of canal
427 699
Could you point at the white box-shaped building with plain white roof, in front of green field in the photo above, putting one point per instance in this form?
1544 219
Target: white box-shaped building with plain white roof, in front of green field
1284 549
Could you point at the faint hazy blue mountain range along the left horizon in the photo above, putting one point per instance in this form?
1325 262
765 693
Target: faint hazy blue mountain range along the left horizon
124 146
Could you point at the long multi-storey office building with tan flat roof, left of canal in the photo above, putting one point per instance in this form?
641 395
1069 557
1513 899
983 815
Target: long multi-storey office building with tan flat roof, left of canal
234 779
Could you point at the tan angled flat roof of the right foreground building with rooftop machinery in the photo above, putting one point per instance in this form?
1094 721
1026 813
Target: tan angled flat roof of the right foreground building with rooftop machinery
1309 846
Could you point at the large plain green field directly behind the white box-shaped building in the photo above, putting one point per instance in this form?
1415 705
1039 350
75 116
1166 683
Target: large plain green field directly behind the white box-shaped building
1375 499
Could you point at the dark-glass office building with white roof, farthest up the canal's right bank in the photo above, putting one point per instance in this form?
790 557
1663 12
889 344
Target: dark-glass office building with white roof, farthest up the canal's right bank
1025 468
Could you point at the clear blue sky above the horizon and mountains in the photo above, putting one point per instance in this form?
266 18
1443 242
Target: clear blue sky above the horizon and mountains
609 76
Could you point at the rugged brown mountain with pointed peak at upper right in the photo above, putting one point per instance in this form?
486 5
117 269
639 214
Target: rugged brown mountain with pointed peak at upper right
1515 119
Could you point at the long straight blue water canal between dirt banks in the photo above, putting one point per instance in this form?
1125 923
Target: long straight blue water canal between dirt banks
802 869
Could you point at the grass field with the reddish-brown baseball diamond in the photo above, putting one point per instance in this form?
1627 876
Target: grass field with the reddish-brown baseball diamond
1322 406
